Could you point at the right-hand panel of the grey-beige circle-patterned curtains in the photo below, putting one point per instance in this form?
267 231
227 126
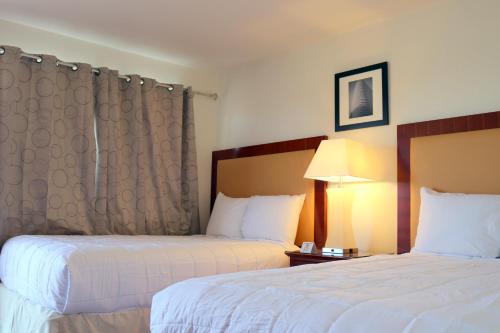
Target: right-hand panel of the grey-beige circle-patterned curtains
147 176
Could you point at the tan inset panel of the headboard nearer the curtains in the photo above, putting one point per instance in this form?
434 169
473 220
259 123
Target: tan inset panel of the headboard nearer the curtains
273 174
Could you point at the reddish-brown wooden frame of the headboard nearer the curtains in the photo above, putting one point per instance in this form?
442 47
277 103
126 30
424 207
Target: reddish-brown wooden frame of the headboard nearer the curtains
320 205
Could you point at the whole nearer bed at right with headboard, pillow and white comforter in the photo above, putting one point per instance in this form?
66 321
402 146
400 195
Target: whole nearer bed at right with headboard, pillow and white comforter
450 282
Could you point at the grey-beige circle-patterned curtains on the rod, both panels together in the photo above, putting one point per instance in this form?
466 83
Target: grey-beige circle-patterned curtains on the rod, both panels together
138 176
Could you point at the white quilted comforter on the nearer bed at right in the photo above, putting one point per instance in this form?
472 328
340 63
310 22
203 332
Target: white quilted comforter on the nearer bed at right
408 293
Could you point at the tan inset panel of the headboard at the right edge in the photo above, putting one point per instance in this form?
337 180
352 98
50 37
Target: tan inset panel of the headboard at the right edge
465 162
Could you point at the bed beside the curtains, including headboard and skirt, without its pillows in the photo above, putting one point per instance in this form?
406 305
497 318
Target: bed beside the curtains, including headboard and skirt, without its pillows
106 283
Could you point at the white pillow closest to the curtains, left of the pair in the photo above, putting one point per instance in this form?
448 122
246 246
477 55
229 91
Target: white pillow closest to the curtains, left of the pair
227 216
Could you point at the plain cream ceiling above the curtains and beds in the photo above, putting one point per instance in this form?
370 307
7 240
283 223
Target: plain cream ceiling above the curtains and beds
208 33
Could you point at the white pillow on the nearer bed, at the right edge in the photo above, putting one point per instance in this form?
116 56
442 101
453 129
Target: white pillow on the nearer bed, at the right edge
459 224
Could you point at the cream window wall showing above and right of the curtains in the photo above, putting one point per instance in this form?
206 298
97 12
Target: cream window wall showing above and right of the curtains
69 49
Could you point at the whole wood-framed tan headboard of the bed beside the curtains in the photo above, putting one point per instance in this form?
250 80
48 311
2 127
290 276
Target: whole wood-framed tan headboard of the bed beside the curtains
273 169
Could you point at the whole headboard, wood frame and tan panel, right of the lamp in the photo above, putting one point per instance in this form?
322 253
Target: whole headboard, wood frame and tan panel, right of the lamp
458 154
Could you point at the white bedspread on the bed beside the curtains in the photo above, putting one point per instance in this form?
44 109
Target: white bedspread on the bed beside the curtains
74 274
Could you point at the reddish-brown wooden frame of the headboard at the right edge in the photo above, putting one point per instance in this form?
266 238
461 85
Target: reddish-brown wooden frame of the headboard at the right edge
405 133
